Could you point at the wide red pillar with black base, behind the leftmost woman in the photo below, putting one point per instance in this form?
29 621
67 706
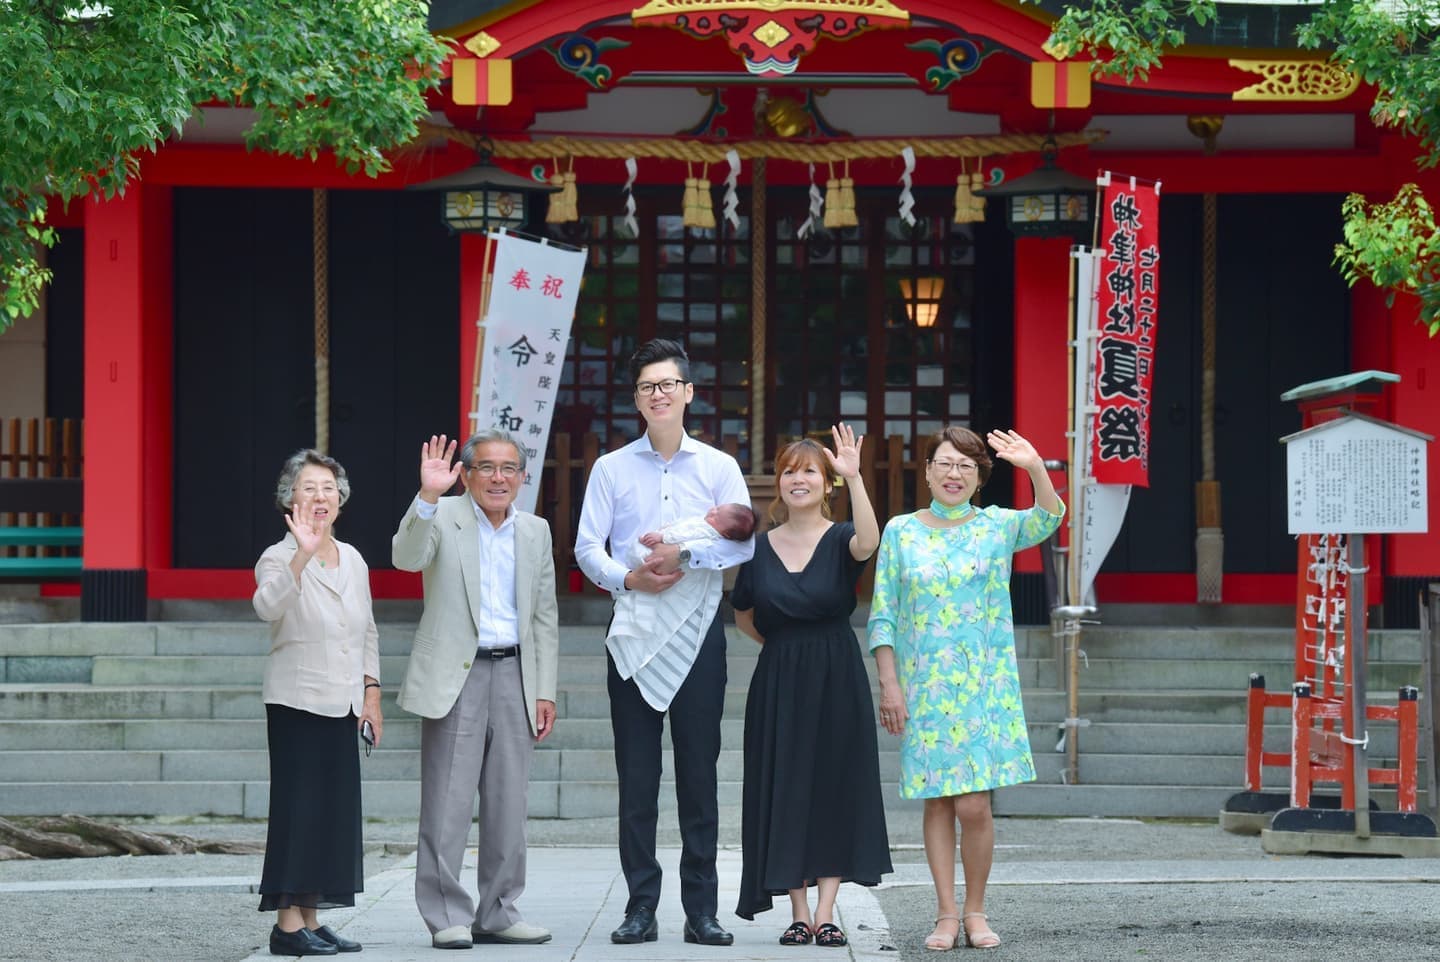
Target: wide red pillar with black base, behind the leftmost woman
127 431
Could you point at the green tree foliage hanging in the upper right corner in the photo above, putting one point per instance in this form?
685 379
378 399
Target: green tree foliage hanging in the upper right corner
1393 45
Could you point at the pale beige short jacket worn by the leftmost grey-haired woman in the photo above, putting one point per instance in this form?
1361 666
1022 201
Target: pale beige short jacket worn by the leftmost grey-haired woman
323 639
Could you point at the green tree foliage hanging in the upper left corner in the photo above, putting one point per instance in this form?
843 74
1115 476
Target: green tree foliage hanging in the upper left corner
91 87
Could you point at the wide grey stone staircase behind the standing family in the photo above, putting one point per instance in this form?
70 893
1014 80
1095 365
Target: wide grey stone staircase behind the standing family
165 718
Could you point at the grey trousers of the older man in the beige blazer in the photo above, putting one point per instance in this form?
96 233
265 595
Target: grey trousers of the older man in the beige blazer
483 744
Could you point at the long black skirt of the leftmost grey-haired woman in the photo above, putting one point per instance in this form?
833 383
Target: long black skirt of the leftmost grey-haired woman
313 849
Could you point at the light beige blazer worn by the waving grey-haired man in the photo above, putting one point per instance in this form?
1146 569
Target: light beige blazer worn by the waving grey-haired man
446 549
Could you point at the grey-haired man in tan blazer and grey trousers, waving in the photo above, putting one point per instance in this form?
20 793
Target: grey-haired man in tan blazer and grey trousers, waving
483 678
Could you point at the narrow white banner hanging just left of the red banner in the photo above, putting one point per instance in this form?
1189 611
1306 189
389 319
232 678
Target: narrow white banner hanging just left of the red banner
1104 506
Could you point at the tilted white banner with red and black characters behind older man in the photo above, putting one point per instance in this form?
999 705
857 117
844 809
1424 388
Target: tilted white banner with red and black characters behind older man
534 290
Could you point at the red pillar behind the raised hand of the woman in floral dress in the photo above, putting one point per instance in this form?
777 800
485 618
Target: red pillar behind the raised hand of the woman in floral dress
1042 358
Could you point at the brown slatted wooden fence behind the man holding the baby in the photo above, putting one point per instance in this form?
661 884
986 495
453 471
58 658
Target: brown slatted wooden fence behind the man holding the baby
896 485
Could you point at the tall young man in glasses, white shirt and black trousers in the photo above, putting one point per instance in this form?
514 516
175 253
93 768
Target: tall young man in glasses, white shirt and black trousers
657 479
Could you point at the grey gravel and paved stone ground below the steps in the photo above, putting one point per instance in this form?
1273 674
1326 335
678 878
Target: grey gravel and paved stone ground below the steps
1095 891
